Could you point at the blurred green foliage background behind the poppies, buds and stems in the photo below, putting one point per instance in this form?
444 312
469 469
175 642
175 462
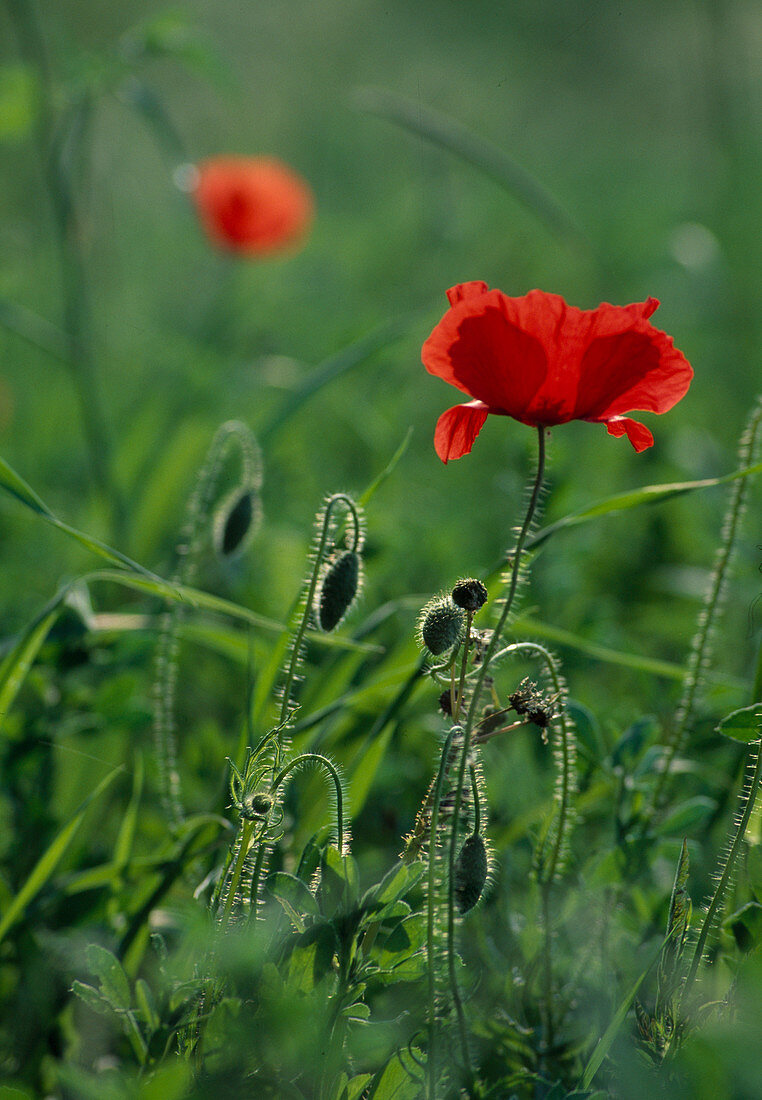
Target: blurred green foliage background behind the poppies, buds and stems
643 123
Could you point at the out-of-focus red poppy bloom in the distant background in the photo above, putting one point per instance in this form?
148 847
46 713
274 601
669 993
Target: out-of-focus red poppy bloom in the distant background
253 205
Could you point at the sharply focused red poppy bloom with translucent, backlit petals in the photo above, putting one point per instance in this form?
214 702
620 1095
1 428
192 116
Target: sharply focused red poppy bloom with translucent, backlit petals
544 362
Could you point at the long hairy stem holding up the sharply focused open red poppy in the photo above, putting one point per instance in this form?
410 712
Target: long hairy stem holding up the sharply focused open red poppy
513 586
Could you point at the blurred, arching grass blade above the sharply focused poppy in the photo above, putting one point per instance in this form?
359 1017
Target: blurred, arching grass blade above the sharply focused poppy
458 139
